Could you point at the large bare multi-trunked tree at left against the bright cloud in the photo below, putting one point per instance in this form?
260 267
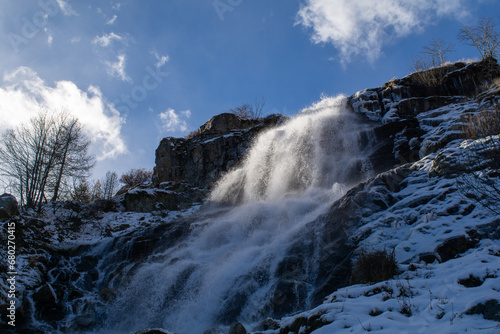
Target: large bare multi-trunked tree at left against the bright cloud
40 153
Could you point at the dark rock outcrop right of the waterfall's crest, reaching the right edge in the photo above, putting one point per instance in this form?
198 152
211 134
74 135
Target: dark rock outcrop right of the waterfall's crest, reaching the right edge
398 104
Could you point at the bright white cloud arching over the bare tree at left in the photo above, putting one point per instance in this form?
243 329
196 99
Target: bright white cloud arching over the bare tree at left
25 94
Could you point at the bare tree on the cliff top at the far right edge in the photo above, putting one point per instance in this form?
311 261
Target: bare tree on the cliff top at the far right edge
483 37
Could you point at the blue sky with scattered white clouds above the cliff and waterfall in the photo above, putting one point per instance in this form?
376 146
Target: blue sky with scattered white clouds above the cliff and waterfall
137 71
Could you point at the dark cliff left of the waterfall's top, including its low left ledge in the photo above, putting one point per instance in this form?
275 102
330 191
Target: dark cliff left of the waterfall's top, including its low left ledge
186 168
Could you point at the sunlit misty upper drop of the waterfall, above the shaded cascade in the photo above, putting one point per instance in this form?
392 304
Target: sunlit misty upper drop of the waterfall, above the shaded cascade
318 149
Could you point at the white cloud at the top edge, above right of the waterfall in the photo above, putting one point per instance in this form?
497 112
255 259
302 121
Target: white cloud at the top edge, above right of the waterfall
362 27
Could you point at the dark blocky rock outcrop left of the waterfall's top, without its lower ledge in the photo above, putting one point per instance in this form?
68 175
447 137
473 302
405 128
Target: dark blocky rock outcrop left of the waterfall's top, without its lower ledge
200 160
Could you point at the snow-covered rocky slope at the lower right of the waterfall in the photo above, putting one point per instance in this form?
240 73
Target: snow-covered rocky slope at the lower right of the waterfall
424 297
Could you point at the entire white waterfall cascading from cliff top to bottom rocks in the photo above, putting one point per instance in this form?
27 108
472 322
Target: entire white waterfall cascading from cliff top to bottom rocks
237 262
